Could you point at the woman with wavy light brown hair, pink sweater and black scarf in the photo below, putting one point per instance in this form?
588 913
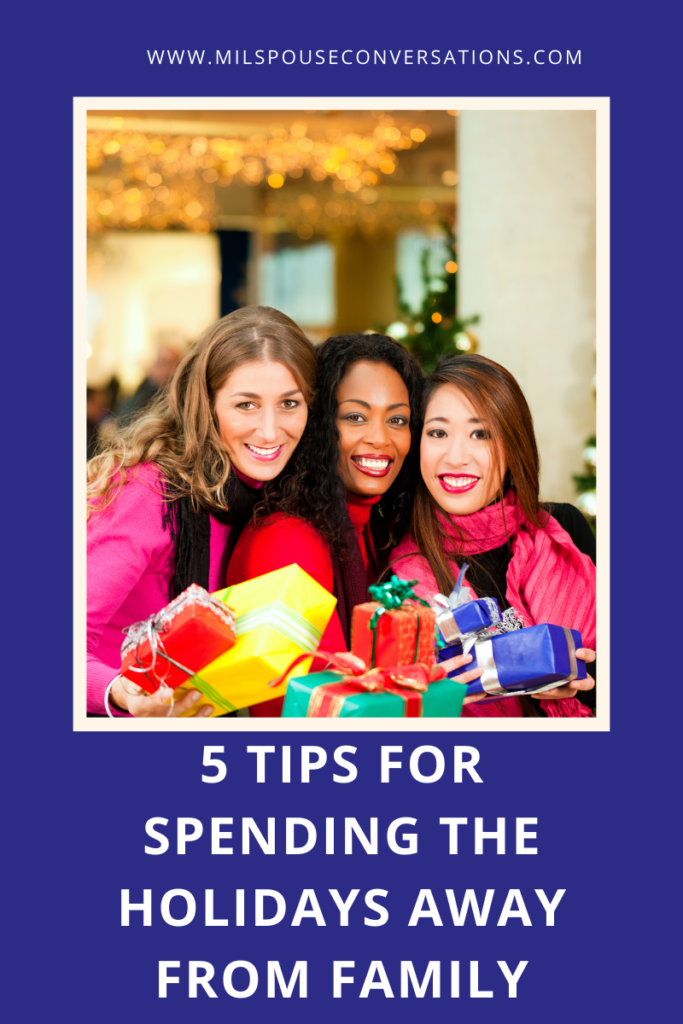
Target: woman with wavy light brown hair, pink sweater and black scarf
169 494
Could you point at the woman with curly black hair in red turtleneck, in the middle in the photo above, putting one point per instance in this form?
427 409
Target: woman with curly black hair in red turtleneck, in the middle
346 501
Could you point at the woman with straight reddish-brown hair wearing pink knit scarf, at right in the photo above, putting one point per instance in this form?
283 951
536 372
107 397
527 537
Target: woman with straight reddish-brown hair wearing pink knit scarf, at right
478 500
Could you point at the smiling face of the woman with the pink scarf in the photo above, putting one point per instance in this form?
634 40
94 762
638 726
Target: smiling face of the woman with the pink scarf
456 455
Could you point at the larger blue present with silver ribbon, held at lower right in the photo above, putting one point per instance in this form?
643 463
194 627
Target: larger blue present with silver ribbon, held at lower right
522 662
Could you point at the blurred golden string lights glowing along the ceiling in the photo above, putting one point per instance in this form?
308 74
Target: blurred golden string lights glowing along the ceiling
163 181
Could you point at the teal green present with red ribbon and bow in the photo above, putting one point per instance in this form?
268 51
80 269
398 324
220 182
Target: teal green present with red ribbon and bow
402 692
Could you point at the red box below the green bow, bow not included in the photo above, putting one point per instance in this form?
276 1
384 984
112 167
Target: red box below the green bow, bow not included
405 635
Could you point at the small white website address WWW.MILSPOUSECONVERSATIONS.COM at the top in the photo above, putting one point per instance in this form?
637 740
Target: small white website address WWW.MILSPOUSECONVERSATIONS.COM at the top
316 58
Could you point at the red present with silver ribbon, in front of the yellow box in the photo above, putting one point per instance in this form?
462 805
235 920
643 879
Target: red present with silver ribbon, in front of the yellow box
173 646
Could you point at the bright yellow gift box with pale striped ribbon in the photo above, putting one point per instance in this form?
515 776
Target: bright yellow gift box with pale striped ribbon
278 617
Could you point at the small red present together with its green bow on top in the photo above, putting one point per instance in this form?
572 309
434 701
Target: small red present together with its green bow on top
393 631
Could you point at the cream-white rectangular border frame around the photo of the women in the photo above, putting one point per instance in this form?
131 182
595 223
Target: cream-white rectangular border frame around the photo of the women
602 107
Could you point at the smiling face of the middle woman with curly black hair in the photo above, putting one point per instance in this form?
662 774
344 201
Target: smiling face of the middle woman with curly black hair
373 419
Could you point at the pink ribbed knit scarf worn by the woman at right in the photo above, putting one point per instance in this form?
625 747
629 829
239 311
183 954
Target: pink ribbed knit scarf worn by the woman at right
548 580
